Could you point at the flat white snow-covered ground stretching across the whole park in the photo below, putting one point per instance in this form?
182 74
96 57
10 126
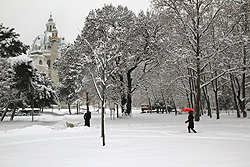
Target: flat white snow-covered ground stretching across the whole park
143 140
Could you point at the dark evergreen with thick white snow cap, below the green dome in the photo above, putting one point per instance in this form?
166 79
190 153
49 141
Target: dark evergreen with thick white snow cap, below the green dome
35 89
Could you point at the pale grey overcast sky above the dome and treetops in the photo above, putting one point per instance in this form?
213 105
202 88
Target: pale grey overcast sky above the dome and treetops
29 17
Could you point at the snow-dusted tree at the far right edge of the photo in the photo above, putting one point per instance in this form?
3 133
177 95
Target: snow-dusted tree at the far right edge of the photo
239 35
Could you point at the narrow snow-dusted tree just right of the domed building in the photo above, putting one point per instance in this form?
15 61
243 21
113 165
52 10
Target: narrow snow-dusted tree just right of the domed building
69 67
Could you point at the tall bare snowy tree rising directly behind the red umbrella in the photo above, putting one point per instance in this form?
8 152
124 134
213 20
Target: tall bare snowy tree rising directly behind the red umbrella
194 21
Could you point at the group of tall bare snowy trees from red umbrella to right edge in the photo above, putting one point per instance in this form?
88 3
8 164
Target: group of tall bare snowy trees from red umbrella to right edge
214 50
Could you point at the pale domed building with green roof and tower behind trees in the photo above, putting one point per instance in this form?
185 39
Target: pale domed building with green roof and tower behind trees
46 48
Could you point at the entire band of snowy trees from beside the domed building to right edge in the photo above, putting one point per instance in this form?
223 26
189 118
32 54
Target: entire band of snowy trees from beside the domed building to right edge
195 49
